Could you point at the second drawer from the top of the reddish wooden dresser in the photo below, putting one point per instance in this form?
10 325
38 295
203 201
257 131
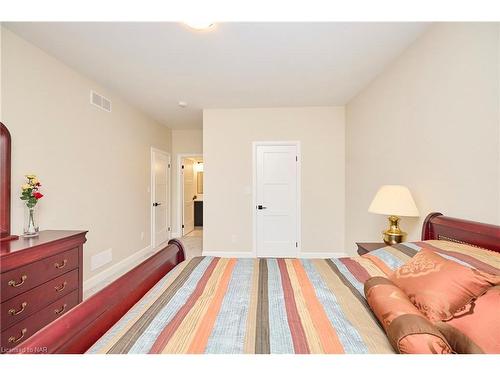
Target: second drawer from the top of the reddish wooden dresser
25 304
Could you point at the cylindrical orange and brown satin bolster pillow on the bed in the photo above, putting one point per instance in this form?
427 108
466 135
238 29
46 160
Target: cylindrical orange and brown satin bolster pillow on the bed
408 331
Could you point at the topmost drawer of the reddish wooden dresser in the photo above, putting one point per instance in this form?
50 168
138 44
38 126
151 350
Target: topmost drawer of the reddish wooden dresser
31 275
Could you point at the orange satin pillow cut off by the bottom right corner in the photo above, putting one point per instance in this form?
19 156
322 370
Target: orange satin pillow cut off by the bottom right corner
475 328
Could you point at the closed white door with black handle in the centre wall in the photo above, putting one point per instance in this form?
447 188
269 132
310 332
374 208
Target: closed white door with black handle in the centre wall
276 200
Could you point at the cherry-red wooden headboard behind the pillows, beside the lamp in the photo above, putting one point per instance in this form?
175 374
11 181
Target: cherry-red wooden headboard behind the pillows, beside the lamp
439 227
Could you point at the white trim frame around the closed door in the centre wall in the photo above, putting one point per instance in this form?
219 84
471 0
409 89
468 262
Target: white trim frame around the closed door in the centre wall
255 144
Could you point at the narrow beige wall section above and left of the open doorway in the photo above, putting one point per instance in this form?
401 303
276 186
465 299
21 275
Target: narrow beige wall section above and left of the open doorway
187 142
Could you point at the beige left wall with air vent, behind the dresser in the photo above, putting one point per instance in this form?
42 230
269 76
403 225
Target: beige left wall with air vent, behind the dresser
94 165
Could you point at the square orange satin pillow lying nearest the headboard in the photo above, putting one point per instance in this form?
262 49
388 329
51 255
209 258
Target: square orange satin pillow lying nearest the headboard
438 287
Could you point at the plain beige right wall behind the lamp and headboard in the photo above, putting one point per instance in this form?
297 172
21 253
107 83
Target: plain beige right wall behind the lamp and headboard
431 122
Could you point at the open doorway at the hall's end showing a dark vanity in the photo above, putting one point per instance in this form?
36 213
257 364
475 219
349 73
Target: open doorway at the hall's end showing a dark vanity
191 195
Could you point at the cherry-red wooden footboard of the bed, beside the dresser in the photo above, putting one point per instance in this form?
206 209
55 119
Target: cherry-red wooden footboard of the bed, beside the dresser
81 327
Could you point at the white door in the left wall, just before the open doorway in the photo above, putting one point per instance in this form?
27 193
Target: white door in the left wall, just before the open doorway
160 196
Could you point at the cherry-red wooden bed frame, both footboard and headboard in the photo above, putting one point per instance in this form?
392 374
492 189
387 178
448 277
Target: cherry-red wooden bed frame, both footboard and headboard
76 331
